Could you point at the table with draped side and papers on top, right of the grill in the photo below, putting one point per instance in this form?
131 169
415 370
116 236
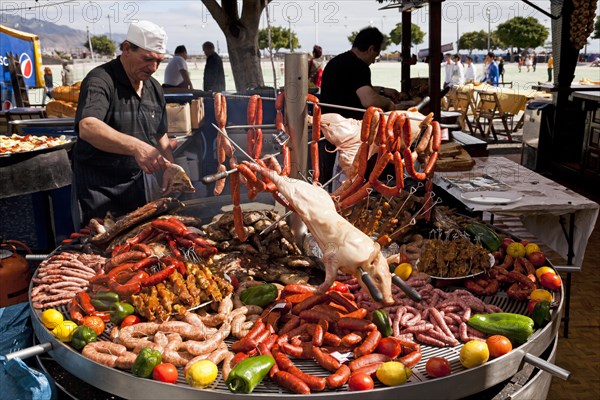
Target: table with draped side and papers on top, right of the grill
559 217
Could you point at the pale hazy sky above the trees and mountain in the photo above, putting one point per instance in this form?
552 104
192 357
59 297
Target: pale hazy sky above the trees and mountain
327 23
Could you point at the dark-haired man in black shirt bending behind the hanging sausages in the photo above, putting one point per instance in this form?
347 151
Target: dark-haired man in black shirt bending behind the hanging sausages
347 82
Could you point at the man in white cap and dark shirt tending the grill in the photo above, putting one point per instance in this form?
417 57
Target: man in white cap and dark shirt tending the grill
121 123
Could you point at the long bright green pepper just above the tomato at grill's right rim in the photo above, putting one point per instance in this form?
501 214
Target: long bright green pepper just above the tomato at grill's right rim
516 327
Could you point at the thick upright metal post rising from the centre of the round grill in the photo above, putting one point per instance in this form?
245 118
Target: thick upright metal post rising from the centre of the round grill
296 89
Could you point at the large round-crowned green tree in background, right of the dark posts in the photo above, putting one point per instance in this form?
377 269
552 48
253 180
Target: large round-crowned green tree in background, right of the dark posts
522 32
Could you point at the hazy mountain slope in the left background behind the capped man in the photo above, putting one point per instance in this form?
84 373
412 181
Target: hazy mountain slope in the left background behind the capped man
52 36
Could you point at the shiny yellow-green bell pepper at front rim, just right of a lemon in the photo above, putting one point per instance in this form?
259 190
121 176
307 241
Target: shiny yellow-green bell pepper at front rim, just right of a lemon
248 373
